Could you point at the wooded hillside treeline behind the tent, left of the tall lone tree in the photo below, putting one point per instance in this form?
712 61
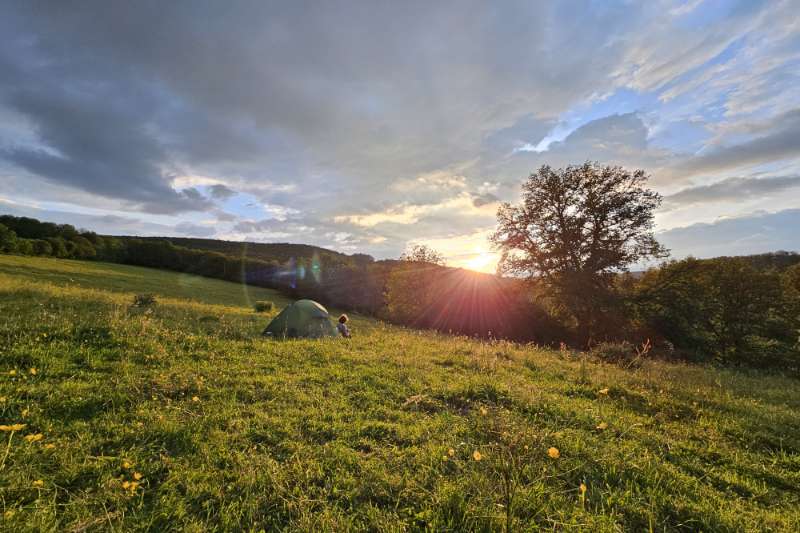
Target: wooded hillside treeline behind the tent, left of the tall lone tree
411 293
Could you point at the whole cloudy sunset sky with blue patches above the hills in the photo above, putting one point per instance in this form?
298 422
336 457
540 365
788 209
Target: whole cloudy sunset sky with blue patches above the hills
372 126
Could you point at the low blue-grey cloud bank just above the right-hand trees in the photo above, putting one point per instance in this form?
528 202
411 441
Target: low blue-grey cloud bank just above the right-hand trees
750 234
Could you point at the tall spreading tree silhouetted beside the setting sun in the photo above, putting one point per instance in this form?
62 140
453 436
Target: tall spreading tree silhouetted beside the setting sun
576 228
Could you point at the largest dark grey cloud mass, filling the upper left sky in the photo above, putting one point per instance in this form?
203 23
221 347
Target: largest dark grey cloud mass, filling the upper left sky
273 91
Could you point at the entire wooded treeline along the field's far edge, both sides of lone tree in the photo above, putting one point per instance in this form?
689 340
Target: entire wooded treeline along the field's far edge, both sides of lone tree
729 310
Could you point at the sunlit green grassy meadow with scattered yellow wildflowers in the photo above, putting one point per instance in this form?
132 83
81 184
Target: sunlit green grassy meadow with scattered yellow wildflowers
180 417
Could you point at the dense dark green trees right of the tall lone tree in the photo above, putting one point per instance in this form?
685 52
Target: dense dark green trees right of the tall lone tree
726 310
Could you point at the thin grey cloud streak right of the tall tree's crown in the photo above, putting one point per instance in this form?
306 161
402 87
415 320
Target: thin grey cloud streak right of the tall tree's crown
732 189
